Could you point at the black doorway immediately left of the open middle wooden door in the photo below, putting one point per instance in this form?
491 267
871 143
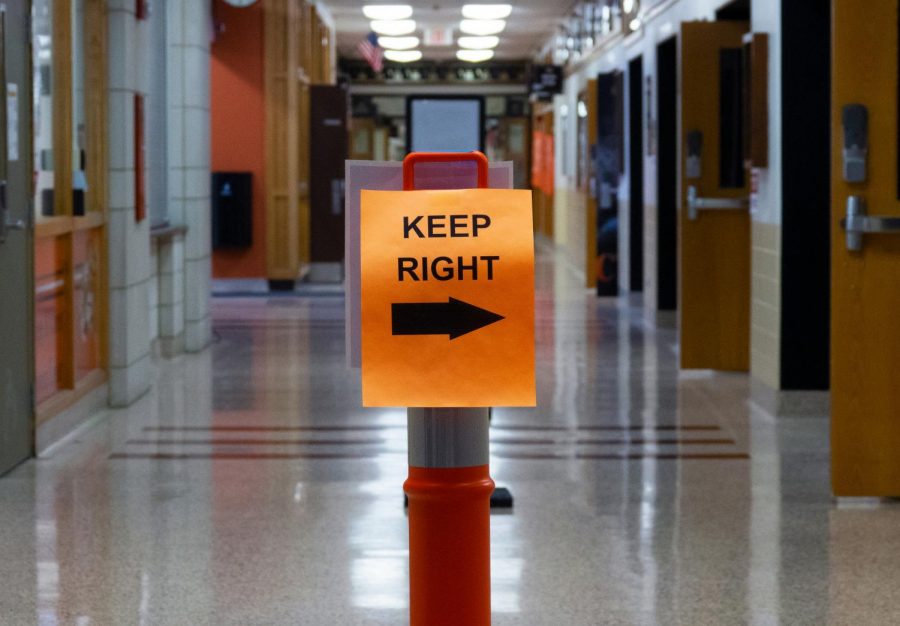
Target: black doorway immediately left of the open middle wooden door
666 176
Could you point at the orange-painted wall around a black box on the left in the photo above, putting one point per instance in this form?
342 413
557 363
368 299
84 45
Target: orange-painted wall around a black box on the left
237 114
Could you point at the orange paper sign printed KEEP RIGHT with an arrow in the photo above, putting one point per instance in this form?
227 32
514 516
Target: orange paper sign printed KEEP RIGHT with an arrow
447 298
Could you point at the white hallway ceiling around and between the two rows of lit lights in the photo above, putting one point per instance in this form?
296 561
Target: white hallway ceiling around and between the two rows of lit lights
531 22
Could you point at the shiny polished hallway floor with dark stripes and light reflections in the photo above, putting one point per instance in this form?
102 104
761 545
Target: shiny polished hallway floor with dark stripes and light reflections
249 487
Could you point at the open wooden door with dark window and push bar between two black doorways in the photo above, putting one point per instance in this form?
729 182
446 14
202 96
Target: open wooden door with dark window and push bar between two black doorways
715 247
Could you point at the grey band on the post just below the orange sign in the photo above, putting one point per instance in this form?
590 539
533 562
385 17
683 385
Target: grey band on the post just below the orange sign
448 437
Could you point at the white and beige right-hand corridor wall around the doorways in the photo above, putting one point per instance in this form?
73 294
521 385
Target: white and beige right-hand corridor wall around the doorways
661 21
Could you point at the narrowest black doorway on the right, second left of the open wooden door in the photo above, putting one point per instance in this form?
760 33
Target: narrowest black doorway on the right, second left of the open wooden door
636 173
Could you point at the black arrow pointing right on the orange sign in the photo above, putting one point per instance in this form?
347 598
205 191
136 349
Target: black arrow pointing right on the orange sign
454 318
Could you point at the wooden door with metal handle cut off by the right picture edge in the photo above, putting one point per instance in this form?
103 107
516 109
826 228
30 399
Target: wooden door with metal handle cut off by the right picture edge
865 284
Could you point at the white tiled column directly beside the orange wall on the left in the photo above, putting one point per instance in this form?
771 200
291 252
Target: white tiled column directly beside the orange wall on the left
189 158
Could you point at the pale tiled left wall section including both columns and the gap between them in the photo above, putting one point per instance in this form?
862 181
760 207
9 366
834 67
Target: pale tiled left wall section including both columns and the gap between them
161 290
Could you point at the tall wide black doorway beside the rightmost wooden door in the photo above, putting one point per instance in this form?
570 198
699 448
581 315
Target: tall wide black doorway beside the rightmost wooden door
806 165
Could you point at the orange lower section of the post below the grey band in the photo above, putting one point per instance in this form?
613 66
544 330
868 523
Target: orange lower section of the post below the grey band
449 546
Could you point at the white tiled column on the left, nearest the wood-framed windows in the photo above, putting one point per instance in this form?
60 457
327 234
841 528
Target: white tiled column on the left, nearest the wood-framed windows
129 241
